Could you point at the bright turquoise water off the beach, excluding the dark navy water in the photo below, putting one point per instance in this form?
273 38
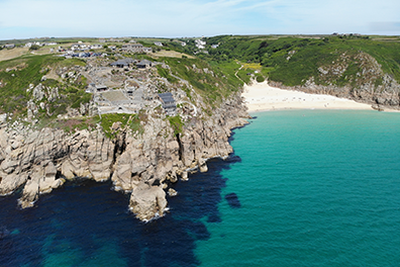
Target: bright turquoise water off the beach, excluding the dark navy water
316 188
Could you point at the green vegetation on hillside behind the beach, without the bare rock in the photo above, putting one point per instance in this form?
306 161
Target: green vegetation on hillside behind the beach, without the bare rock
293 60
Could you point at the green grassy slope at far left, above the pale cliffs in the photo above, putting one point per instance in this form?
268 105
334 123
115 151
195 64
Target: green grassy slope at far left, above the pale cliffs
18 78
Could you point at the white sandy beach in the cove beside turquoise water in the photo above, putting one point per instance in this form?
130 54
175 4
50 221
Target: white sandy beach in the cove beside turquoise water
262 97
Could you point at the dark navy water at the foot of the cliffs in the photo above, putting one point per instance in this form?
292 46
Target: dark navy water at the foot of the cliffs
87 224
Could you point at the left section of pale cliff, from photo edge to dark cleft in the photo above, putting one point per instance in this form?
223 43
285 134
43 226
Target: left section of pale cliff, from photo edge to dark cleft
32 158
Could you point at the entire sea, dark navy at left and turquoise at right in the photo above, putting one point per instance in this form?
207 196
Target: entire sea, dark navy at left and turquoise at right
303 188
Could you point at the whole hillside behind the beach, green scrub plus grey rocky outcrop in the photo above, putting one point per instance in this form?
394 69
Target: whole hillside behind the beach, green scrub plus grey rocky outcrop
368 67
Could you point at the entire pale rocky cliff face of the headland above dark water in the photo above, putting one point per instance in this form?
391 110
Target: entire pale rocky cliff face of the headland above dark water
143 164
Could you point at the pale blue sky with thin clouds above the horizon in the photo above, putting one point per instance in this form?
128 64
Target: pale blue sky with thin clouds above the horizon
193 18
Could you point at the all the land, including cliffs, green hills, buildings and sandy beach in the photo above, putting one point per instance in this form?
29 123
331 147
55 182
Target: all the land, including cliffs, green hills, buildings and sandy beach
145 113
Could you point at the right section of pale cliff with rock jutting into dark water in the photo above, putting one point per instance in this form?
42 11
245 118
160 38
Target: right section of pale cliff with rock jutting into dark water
158 156
